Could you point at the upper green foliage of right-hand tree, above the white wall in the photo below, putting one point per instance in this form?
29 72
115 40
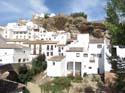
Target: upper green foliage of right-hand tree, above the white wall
116 20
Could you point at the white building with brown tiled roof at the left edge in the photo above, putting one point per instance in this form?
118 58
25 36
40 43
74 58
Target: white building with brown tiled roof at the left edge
10 53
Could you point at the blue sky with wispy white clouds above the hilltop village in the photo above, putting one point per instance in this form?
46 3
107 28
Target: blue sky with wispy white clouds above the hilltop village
12 10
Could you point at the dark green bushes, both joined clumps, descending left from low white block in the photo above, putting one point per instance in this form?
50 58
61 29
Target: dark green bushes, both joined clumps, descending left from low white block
38 65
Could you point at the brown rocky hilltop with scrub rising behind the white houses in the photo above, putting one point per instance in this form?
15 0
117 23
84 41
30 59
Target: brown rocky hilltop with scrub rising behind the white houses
74 23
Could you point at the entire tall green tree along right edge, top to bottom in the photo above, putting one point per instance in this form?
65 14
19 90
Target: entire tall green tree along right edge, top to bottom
116 26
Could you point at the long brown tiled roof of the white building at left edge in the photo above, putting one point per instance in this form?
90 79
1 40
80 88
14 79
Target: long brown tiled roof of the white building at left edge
11 46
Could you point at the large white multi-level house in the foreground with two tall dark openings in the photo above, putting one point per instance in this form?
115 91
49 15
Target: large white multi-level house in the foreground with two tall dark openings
84 55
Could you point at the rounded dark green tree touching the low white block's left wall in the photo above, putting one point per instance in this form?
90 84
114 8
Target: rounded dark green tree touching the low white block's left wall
39 64
